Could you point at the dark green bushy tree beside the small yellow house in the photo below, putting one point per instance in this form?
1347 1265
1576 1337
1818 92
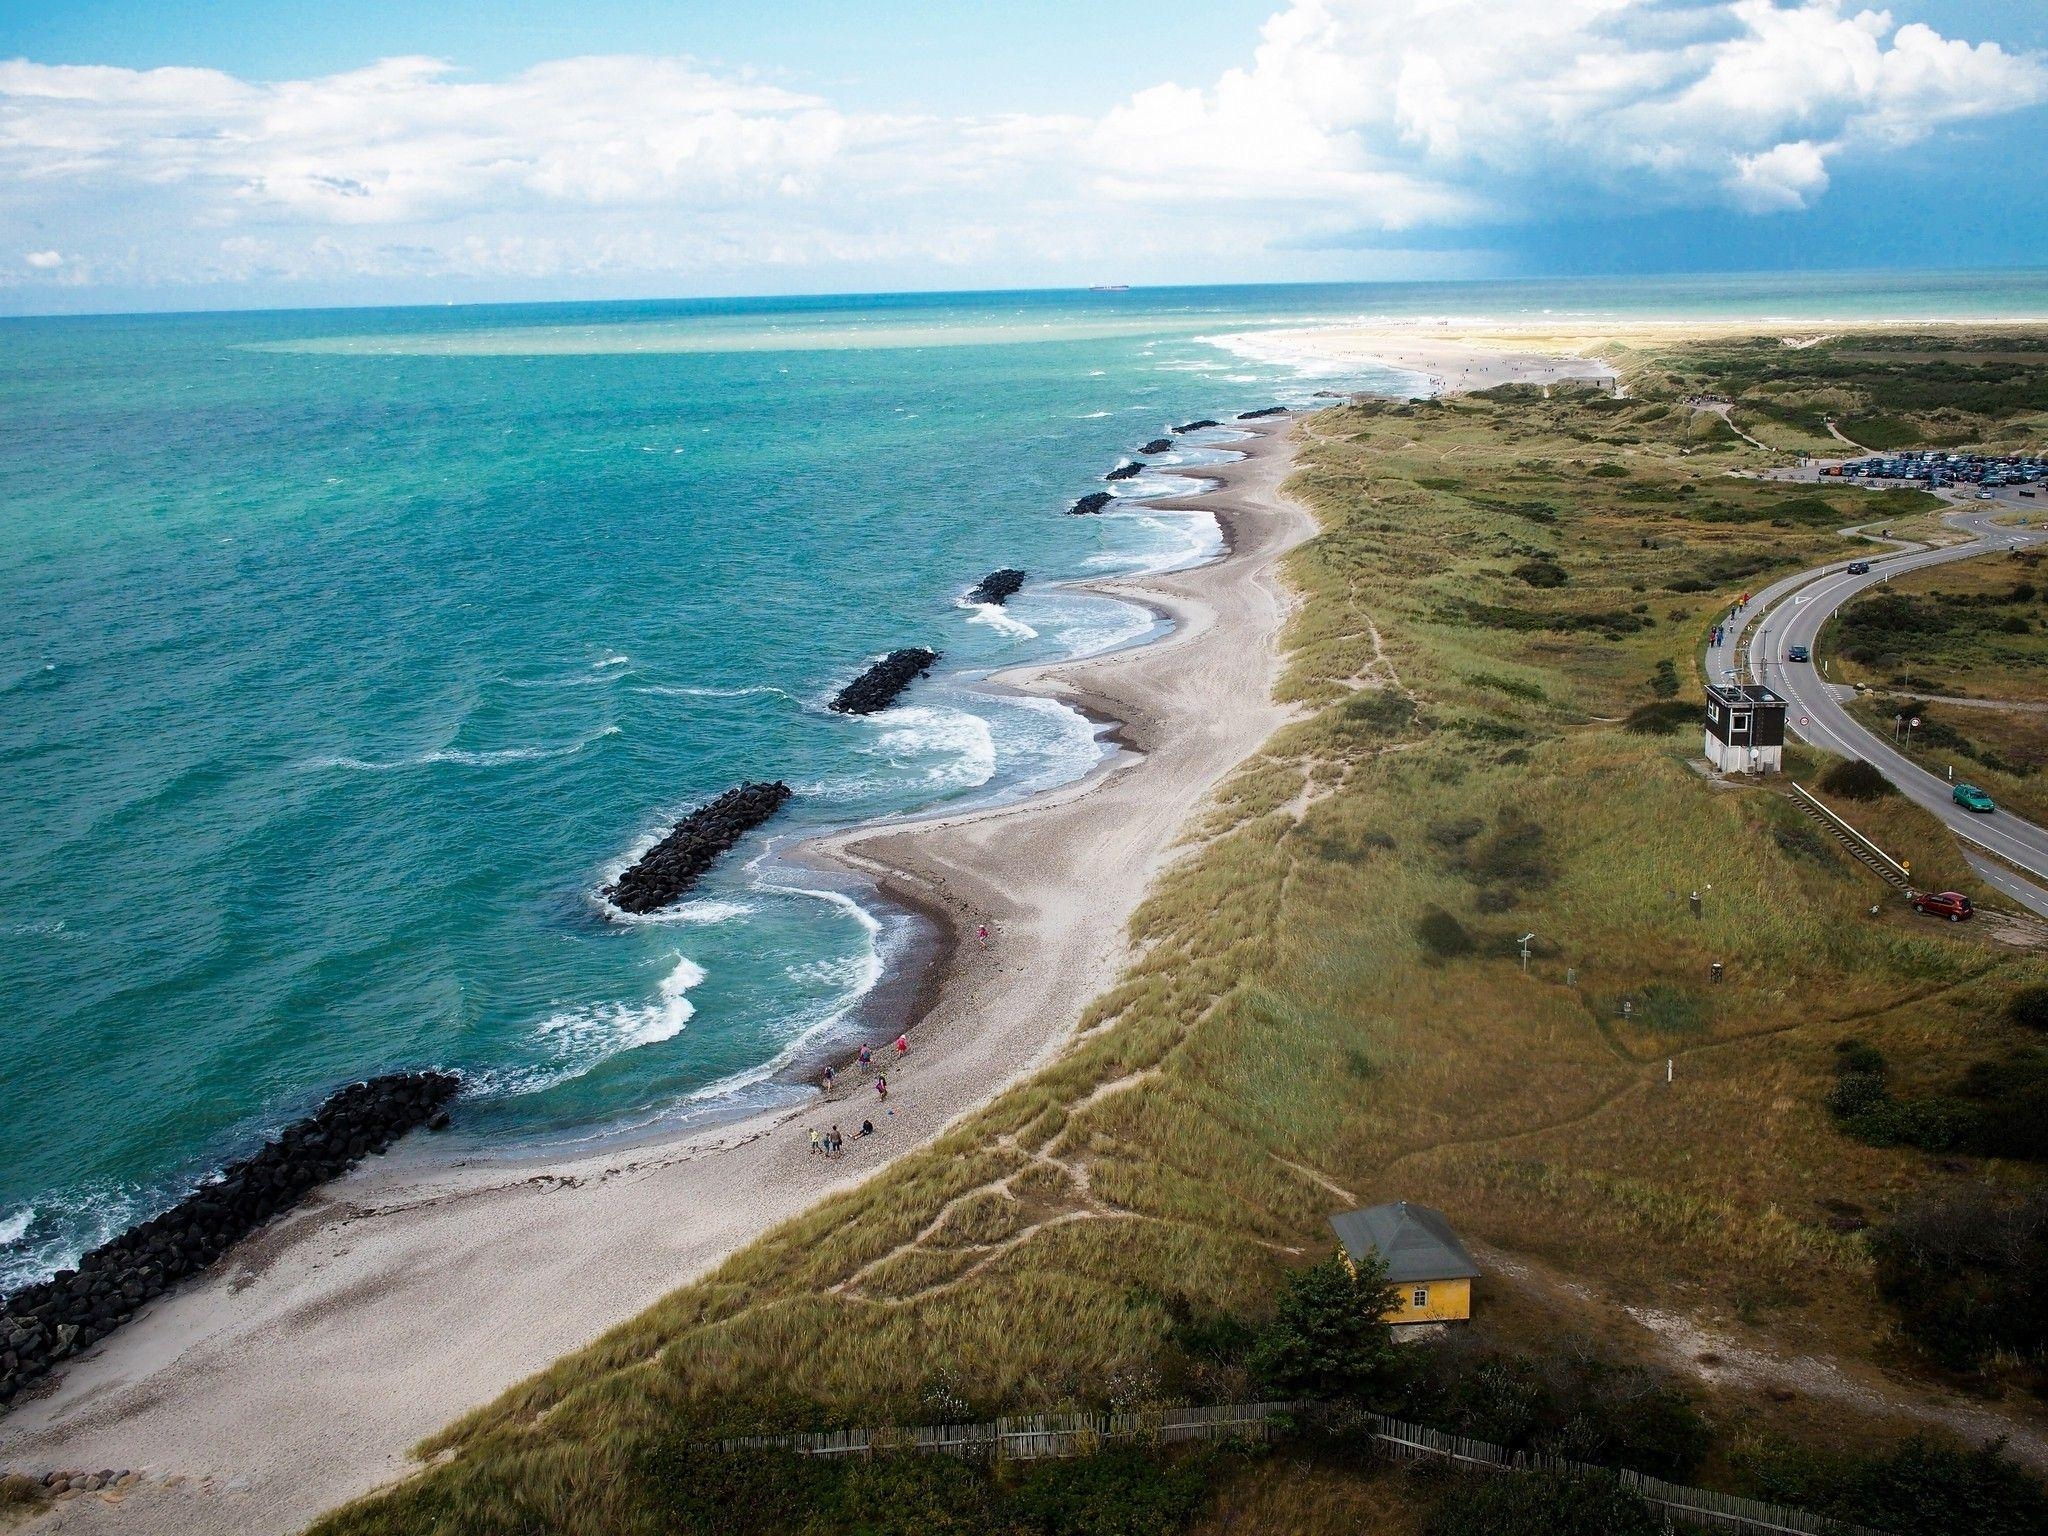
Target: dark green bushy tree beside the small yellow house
1330 1336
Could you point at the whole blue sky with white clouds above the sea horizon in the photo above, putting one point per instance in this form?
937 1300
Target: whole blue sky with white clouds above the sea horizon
234 155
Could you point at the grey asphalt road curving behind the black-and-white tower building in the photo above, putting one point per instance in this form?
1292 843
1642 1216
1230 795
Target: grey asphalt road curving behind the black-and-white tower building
1793 613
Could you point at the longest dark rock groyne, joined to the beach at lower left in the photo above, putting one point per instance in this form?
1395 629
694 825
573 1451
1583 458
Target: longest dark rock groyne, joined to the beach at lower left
58 1318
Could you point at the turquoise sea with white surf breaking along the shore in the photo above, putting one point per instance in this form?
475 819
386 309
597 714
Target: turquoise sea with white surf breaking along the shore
351 652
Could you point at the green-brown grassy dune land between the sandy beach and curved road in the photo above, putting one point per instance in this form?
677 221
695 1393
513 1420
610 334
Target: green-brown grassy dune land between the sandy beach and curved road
1328 1007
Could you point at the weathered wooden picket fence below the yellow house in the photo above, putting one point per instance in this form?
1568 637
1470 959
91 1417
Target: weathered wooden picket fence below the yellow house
1076 1435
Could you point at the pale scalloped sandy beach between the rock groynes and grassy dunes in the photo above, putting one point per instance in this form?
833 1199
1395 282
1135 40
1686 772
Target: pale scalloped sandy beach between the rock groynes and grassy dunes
302 1371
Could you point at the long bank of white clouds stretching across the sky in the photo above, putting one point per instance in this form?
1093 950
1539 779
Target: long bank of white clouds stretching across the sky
1355 120
